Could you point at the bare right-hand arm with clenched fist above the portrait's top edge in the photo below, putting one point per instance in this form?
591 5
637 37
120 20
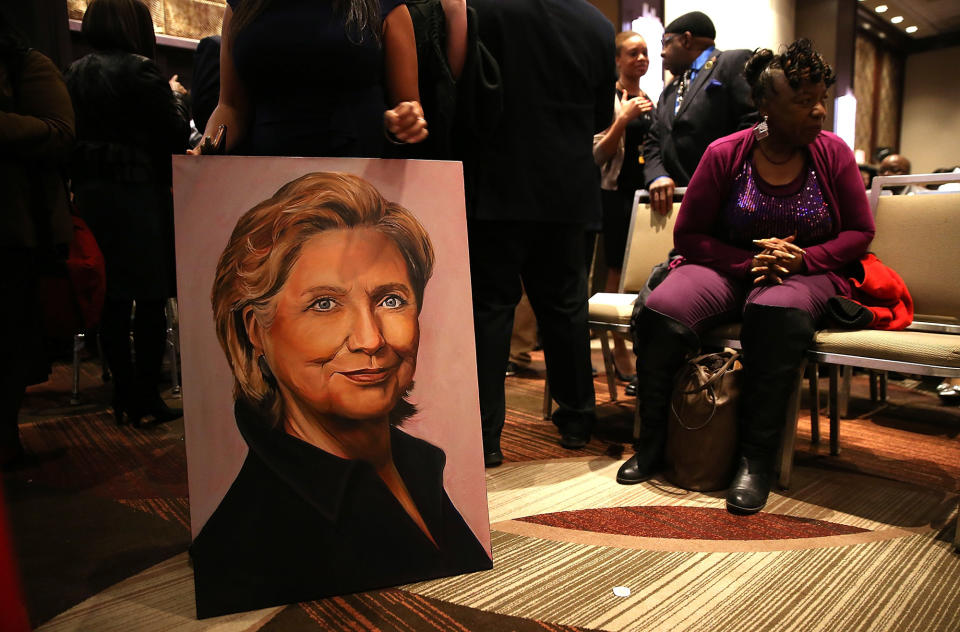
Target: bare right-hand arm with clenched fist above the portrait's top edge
405 119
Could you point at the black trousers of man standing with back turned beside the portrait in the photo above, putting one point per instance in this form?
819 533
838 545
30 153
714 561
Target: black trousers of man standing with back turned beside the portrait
548 258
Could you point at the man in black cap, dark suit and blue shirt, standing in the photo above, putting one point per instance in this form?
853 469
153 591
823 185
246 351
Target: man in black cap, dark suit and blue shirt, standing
707 99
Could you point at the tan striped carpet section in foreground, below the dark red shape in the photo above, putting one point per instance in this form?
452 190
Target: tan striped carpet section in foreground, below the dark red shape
905 583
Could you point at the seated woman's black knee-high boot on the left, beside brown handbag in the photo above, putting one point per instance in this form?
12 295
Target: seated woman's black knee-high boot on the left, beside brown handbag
662 346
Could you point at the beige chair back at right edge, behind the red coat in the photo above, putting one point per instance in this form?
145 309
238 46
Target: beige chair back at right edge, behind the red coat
918 237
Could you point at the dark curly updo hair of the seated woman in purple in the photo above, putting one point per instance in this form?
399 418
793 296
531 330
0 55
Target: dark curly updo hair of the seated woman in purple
799 63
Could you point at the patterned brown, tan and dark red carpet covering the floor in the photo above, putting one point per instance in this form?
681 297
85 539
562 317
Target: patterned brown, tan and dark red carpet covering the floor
859 542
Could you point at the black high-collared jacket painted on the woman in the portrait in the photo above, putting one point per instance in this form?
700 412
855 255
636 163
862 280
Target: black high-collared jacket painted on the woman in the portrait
300 524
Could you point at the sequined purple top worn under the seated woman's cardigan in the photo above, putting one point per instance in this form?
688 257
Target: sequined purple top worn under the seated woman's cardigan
758 210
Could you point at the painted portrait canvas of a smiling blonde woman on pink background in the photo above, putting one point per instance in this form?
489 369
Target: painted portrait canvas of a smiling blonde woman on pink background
330 390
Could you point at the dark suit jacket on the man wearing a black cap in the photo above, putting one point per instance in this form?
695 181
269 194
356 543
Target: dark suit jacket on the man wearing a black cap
716 103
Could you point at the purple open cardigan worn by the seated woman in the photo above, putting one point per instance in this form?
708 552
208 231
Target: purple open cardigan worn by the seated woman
710 187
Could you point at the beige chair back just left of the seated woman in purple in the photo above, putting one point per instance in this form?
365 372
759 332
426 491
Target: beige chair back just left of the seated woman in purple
648 243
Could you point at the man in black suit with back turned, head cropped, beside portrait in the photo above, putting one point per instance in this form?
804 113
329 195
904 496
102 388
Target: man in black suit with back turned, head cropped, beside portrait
532 186
